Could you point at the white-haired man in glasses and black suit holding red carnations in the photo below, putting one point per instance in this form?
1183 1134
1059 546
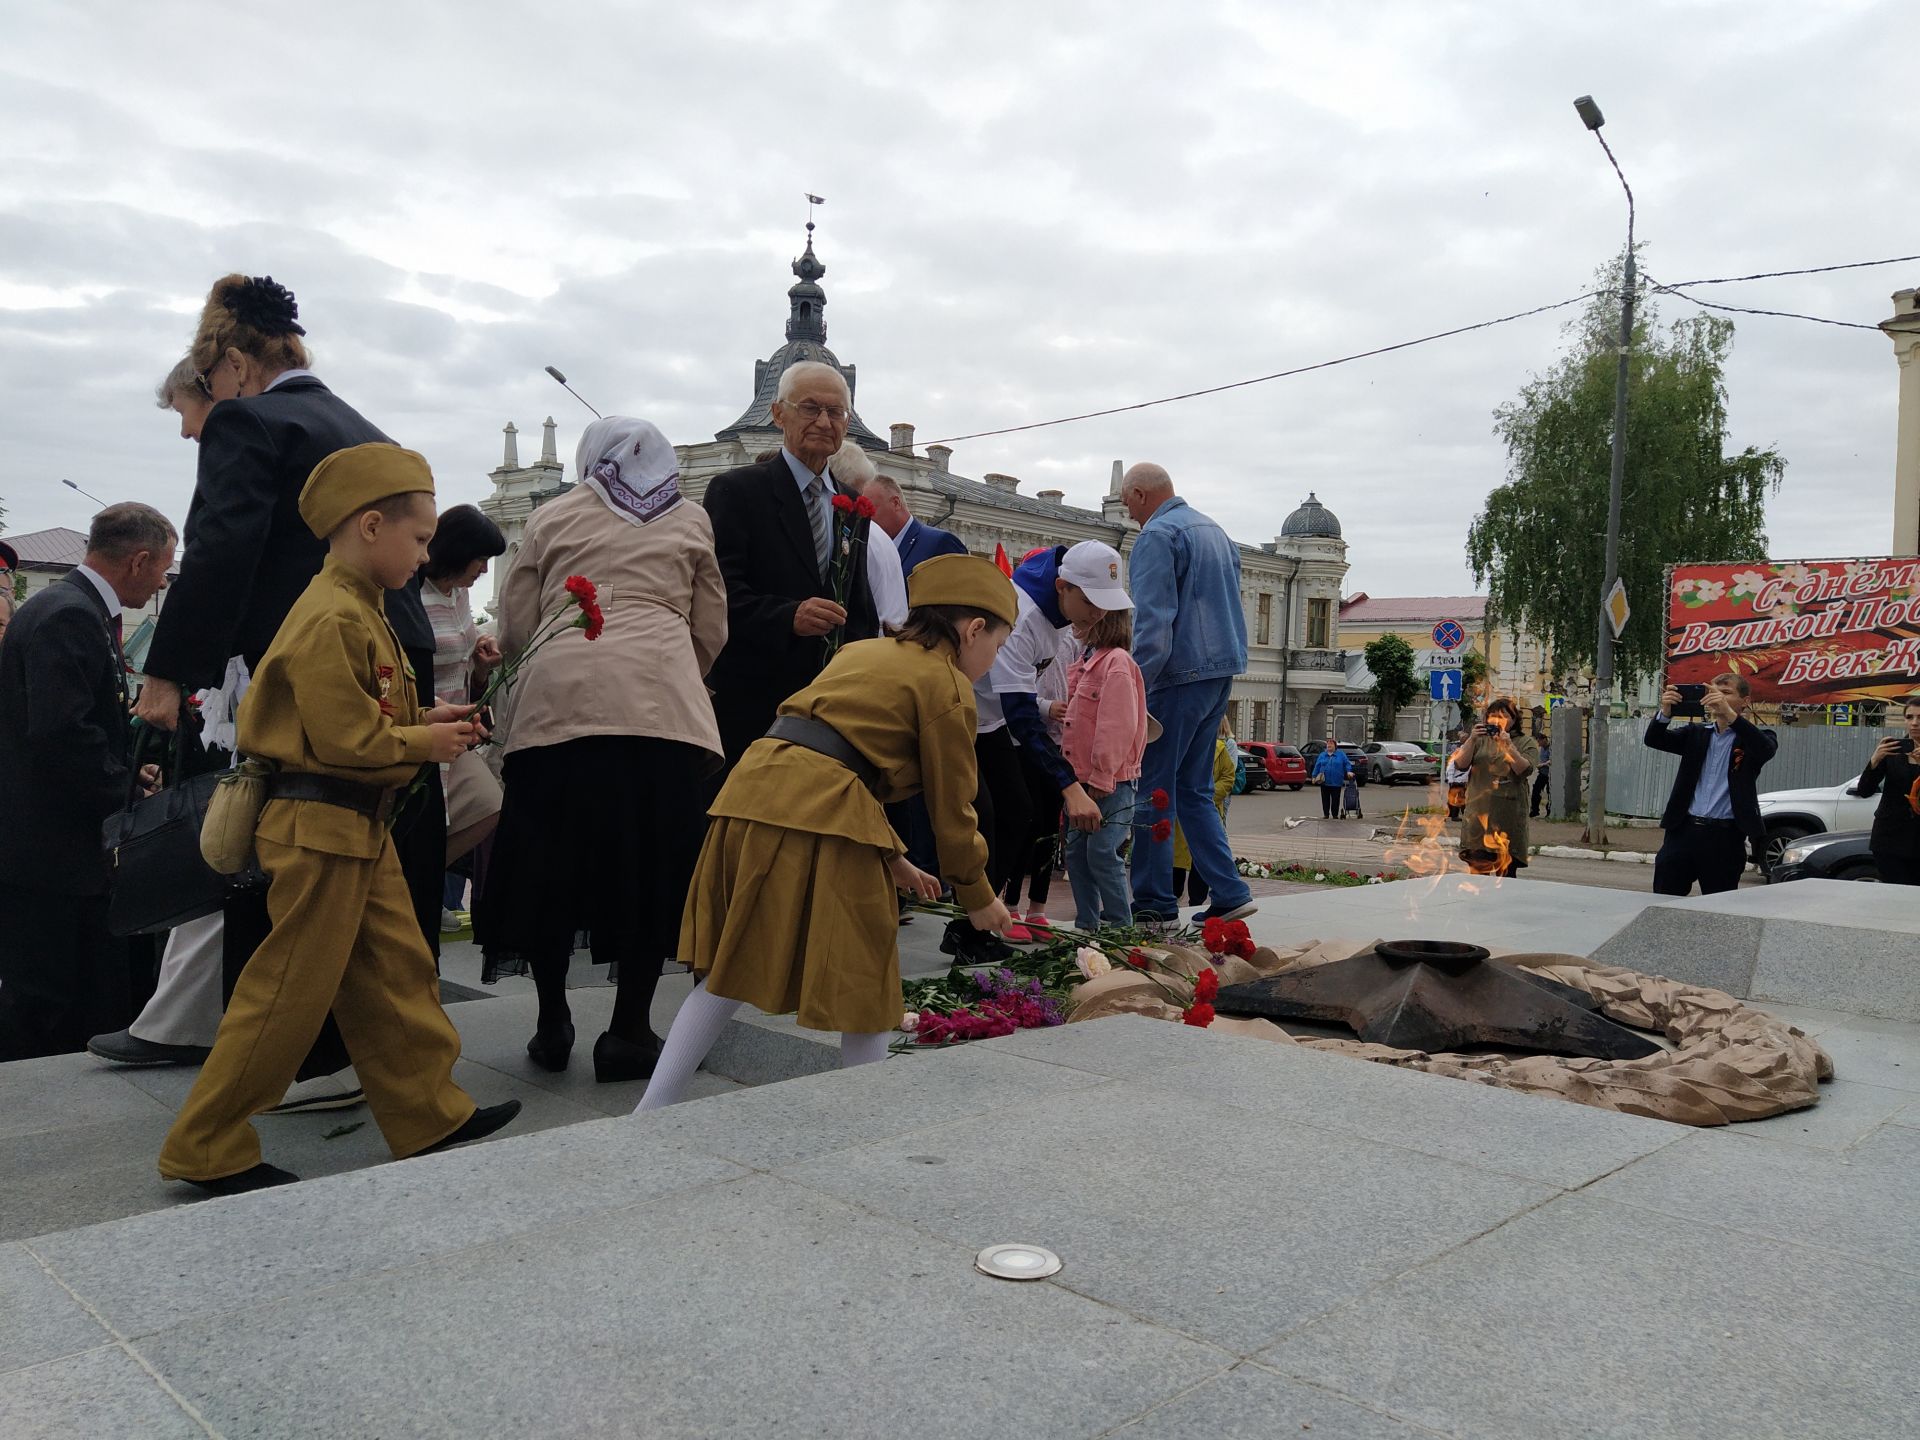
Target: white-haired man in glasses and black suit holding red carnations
775 523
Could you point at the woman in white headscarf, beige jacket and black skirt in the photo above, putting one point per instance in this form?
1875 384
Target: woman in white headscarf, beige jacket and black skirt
612 742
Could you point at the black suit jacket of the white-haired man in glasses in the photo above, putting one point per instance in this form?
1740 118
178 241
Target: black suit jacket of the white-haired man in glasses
767 556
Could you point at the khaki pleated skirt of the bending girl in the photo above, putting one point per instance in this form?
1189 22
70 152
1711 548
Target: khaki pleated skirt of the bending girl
796 923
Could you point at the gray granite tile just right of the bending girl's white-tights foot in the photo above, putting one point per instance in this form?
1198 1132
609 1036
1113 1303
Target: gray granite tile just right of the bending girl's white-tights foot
898 1097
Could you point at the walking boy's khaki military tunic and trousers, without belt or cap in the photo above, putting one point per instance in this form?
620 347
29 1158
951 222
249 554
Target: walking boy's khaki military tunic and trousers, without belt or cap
333 698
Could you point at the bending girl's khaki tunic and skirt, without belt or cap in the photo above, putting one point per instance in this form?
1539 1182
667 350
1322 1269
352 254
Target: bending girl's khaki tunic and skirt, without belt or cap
792 907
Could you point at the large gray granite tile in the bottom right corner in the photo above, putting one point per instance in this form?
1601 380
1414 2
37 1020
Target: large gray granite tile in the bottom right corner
1587 1320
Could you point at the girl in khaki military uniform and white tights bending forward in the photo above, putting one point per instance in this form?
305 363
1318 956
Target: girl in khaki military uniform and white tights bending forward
792 907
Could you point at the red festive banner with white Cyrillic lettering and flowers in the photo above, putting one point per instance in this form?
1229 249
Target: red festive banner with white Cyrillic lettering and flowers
1810 633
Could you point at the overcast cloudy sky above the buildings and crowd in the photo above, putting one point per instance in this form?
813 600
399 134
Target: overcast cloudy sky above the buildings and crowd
1032 210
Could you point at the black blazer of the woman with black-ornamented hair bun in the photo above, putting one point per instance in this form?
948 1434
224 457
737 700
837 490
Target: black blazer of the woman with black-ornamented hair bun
247 552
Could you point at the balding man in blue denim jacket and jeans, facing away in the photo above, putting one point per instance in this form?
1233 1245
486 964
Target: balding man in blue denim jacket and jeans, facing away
1189 640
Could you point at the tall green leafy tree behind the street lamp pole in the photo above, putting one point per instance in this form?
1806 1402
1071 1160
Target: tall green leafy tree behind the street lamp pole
1539 546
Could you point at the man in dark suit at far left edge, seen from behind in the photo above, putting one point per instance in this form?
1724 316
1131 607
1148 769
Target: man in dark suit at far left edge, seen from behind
64 769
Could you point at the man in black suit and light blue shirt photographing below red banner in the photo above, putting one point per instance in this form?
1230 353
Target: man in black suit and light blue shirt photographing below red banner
1714 813
